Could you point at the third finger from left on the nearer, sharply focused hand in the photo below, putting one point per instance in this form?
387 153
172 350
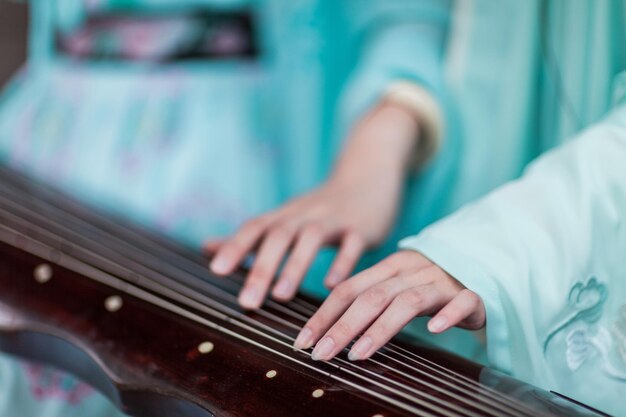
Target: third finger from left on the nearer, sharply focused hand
405 307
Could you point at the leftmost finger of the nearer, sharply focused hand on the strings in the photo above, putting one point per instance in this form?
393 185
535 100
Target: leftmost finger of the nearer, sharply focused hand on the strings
338 302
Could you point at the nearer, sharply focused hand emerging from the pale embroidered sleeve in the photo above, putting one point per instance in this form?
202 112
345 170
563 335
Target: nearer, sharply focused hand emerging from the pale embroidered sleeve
381 300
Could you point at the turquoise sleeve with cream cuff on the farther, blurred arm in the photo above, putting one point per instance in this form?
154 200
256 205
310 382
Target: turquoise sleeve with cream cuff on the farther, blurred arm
401 47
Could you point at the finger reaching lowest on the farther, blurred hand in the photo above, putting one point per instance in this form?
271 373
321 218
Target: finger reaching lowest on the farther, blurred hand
265 266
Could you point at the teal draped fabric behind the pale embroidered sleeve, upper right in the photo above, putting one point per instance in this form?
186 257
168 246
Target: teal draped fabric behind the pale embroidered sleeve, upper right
522 78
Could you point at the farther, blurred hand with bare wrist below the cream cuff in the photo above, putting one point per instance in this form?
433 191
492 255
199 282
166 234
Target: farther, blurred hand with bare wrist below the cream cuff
354 210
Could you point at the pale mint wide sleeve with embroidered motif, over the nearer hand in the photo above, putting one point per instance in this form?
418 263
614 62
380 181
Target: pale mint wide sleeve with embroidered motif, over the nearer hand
547 254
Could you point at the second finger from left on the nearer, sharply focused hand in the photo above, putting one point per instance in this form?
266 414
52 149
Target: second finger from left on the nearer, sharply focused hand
365 309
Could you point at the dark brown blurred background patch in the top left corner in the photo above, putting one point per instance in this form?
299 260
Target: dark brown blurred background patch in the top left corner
13 28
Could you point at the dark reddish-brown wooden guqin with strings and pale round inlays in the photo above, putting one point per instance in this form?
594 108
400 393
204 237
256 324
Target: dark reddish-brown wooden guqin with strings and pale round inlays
140 318
